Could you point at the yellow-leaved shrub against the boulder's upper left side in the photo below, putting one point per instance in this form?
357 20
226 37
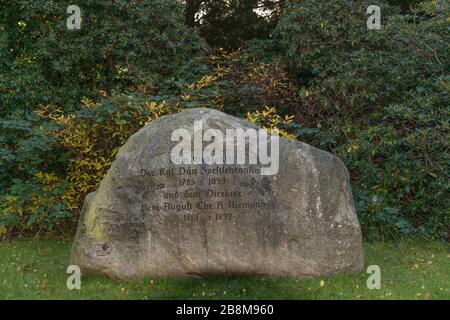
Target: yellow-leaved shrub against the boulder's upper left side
83 134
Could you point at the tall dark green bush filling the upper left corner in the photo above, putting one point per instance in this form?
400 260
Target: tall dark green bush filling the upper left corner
120 43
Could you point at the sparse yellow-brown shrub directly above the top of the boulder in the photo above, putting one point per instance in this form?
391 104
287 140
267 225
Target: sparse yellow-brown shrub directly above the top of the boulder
237 84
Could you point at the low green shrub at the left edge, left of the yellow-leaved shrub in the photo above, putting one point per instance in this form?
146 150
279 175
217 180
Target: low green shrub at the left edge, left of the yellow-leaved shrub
31 179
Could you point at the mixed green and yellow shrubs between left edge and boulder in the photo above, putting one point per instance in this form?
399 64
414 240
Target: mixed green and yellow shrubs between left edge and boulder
40 195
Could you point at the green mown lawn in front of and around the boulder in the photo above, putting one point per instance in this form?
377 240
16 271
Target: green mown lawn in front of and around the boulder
414 269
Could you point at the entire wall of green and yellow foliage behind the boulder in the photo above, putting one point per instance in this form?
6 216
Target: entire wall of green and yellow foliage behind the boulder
377 99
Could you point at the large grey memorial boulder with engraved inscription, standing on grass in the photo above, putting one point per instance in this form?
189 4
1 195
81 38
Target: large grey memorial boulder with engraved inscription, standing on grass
151 217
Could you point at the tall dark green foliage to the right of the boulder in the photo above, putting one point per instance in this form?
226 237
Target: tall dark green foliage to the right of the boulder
381 100
